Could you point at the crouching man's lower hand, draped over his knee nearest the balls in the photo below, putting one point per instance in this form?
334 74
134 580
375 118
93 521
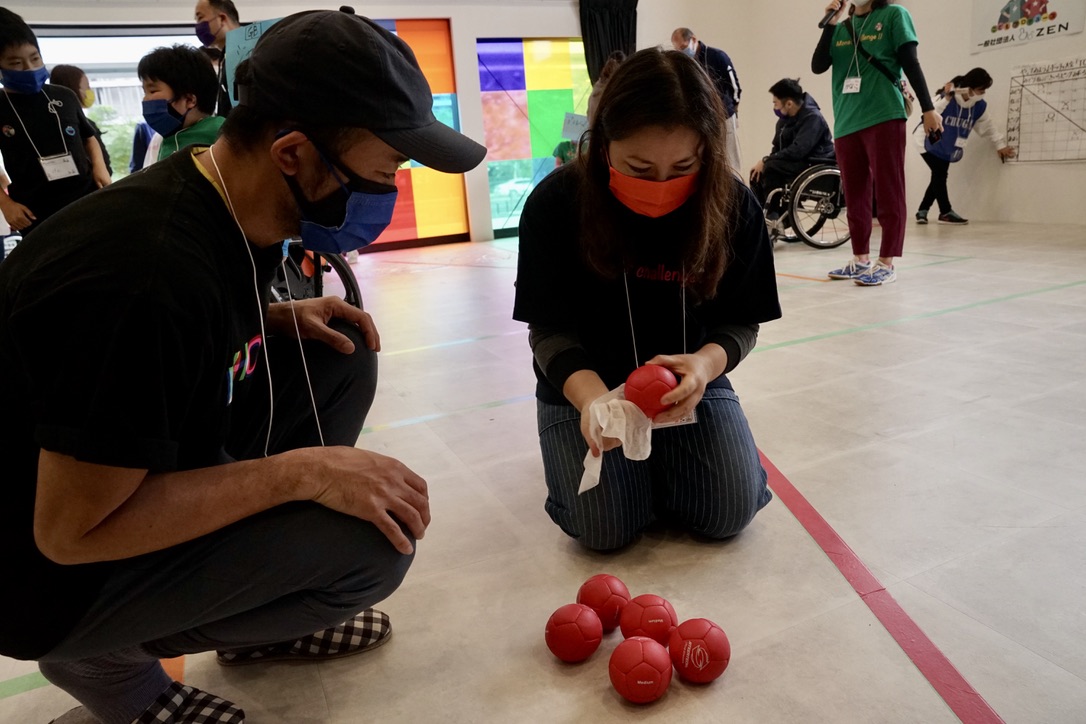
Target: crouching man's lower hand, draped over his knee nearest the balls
374 488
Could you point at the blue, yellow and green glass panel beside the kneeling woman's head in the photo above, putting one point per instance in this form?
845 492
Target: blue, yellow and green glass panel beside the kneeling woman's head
528 87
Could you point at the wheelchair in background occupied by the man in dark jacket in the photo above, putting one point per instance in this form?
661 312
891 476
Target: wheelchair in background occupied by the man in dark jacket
813 208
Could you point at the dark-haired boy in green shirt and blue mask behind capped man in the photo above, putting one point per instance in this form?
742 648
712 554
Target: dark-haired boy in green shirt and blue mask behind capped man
180 93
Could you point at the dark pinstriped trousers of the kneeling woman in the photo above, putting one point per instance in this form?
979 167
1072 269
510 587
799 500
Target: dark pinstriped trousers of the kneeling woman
704 478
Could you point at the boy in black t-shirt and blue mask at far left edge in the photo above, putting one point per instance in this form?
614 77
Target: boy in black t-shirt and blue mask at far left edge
48 146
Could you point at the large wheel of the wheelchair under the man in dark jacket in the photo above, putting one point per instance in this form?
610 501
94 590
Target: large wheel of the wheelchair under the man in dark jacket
818 208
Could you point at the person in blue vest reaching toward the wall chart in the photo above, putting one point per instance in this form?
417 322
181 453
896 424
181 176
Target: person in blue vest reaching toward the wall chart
962 106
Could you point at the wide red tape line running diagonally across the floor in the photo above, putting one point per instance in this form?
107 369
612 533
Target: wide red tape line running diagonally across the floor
969 706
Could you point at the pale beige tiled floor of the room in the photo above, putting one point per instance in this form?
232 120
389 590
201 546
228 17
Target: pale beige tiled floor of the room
938 424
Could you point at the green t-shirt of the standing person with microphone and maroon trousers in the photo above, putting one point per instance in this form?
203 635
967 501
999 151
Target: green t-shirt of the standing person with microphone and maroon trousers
882 32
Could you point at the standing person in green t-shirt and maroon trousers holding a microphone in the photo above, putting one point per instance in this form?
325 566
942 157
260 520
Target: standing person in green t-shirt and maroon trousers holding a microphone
866 43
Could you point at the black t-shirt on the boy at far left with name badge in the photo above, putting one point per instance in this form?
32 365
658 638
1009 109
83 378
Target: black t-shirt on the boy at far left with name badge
29 184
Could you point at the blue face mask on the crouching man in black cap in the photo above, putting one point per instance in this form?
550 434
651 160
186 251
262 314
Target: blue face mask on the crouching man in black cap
348 220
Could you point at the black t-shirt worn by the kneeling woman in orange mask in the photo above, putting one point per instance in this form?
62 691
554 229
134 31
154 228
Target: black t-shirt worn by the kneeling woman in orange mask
557 290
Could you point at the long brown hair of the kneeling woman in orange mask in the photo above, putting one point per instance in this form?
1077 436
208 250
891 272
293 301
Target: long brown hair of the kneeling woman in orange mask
668 90
